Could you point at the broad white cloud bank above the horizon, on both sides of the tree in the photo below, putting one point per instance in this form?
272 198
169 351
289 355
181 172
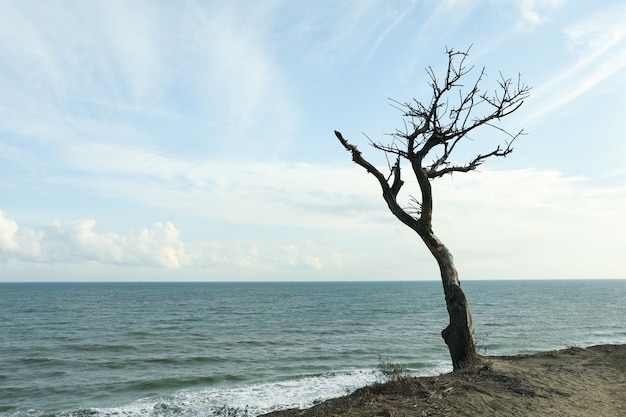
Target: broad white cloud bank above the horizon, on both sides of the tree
540 218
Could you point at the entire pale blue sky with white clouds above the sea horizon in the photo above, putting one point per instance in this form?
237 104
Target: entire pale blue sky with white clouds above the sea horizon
193 140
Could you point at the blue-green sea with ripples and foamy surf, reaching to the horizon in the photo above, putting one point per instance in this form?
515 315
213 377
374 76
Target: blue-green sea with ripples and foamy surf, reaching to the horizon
209 349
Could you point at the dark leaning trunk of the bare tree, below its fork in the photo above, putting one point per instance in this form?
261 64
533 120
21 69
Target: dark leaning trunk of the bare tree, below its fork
459 334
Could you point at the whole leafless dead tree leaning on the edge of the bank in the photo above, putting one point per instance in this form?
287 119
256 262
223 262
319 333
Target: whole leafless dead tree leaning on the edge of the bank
426 145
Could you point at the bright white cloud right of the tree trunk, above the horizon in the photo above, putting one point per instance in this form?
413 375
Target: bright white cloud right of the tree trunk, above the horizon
531 223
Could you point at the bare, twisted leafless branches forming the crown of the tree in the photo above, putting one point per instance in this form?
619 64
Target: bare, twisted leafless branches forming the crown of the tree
433 132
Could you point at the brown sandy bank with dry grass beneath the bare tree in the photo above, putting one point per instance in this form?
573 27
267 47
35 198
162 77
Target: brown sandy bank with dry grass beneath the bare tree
570 382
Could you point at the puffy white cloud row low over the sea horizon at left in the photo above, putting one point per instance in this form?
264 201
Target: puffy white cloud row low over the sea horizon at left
160 246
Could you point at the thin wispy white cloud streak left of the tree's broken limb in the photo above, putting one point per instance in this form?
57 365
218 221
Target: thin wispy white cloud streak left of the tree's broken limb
194 186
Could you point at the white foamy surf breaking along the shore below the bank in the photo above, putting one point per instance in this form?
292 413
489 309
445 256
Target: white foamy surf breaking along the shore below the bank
243 400
